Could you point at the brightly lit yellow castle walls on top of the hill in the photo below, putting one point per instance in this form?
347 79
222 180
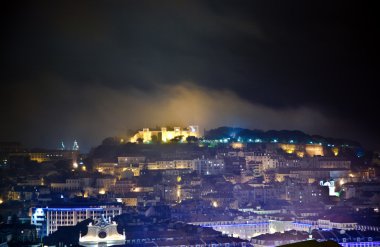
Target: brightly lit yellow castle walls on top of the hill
166 134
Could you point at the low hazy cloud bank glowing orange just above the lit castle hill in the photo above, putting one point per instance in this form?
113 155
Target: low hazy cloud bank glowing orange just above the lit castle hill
88 113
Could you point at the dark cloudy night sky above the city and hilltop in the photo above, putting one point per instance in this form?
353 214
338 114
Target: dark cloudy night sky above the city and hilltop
87 70
